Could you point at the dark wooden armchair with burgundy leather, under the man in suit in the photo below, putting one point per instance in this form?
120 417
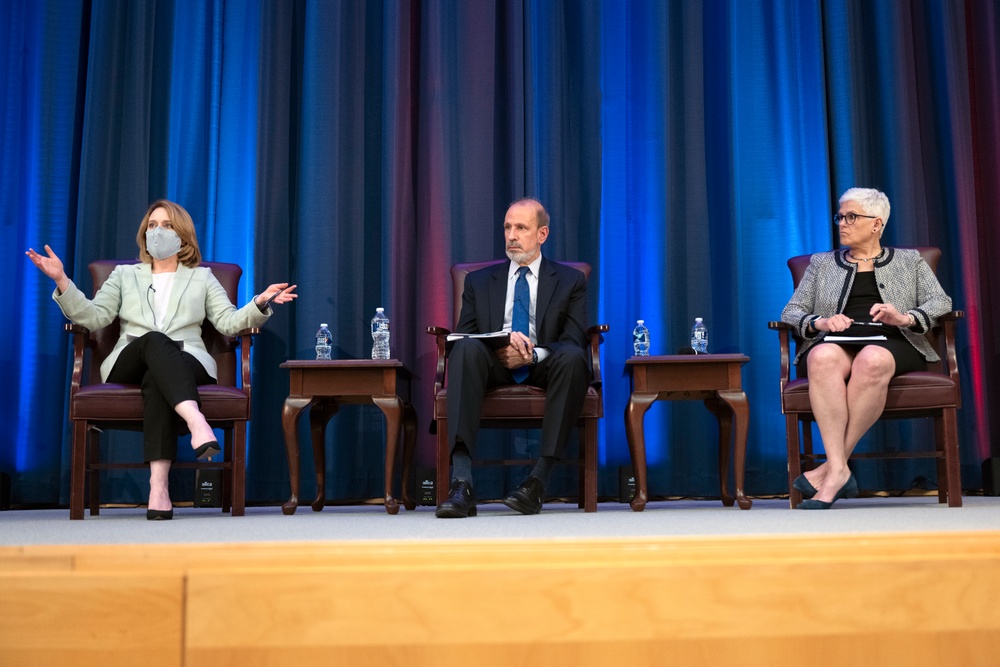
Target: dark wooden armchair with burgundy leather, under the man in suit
518 406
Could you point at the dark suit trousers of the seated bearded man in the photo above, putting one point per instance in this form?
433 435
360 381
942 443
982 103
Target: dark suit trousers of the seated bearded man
473 369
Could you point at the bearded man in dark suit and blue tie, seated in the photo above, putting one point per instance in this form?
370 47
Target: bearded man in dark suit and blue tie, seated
544 306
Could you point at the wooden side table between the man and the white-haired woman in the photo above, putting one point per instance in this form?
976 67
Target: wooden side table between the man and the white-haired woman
713 378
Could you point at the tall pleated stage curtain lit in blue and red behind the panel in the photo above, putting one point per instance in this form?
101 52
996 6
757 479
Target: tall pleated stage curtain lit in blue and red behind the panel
684 149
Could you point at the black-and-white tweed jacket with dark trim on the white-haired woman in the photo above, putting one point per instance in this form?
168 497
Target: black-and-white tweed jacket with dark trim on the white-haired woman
904 280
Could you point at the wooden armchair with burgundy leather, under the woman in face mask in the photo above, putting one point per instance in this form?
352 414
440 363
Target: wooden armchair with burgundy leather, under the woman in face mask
95 407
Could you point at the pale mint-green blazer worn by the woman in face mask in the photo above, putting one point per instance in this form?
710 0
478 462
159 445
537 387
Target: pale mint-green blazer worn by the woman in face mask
196 295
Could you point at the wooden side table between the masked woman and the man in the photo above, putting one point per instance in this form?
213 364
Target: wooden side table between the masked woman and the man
323 386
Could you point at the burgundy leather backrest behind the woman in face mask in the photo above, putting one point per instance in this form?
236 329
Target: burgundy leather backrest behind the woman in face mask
219 346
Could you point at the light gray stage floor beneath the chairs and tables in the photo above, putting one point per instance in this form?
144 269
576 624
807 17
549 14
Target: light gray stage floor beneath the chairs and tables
370 522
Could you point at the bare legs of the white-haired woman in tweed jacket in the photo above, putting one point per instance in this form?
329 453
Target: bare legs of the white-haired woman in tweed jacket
847 390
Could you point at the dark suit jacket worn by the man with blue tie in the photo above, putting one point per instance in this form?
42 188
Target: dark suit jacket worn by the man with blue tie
560 314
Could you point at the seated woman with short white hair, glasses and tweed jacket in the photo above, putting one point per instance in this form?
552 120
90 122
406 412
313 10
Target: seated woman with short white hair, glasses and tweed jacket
862 312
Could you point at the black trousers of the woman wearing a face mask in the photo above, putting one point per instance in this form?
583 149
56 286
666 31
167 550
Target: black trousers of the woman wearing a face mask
167 376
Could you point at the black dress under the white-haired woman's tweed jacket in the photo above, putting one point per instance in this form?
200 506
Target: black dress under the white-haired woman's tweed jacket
864 294
